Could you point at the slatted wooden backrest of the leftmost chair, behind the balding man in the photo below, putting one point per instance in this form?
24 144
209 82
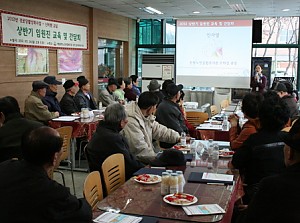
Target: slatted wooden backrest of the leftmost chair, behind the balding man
65 132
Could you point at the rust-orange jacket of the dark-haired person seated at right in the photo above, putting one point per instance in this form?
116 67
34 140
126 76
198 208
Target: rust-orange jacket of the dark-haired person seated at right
237 136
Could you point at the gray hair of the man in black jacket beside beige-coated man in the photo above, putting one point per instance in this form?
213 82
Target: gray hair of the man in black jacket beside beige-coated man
114 114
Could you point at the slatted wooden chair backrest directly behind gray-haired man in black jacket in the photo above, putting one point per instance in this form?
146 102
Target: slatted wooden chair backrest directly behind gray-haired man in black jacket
113 170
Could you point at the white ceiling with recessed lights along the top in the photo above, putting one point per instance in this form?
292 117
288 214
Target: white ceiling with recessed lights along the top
185 8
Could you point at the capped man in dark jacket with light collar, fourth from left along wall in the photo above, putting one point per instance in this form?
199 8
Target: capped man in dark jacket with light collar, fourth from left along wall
84 98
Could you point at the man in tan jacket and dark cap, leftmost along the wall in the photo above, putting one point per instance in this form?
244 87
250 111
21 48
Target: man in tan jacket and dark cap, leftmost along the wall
34 107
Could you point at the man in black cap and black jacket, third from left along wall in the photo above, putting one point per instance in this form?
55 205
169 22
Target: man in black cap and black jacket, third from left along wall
67 103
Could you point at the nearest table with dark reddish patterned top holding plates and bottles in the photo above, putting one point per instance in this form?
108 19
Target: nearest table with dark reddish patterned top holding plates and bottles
147 200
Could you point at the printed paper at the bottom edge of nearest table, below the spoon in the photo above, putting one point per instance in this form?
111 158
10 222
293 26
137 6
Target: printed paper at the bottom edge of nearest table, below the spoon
109 217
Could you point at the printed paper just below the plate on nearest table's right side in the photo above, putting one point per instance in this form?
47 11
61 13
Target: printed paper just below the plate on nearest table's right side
205 209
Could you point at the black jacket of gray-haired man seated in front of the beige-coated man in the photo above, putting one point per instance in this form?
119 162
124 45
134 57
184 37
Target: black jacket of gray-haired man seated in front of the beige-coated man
107 141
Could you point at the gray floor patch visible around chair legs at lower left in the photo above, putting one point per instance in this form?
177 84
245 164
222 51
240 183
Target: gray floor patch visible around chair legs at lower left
79 177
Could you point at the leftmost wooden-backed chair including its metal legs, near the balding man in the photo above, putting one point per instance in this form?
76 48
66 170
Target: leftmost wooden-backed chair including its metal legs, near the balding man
65 132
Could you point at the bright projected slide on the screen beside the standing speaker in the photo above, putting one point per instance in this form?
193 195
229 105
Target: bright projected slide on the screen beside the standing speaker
208 49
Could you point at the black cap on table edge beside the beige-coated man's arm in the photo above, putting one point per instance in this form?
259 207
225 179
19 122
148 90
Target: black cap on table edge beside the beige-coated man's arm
170 157
